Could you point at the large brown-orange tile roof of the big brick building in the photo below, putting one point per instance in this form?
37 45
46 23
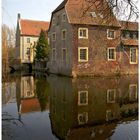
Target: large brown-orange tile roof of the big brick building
79 12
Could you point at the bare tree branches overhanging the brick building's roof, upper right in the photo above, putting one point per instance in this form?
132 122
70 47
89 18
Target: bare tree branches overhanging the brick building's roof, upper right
122 9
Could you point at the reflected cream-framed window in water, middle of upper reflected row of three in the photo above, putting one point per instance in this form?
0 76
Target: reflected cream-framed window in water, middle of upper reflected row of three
111 94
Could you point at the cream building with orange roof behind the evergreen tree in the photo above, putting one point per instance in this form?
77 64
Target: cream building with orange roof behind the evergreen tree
27 35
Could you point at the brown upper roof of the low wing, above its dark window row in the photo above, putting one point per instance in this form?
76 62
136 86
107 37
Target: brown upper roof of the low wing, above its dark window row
126 25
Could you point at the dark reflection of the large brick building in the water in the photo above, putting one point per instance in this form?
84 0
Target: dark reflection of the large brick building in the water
86 108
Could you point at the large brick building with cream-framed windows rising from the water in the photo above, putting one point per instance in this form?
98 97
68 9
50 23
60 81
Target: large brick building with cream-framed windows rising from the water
91 43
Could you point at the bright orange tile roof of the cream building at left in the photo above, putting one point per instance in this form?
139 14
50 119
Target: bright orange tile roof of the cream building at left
32 28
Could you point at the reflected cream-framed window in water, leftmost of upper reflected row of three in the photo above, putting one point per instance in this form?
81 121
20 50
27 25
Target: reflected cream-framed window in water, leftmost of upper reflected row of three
83 98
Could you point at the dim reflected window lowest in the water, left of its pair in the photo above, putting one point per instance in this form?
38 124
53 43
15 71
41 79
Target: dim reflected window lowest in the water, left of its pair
82 118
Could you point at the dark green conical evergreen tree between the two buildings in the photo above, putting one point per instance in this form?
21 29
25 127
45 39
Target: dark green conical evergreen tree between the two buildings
42 47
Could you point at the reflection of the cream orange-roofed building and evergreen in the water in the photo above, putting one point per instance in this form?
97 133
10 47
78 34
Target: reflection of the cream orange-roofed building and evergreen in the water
31 97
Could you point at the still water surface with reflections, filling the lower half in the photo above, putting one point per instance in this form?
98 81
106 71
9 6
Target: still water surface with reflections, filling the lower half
52 108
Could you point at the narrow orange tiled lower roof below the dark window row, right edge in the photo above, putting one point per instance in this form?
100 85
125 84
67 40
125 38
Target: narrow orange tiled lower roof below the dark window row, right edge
130 42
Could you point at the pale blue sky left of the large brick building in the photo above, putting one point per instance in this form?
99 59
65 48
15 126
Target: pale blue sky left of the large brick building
29 9
